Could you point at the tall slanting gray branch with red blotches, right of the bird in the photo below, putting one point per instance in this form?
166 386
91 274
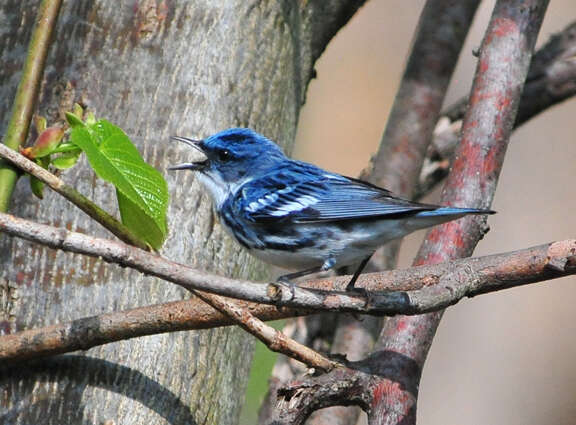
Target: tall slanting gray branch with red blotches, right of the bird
502 68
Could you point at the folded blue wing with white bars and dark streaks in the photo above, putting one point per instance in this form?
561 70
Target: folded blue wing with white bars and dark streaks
303 193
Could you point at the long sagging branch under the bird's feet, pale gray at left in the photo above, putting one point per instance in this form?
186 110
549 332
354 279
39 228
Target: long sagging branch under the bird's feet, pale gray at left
392 292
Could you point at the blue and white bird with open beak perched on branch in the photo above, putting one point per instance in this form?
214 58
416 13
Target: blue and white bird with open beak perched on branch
296 215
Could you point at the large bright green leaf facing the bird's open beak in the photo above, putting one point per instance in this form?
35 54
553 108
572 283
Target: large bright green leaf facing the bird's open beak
141 189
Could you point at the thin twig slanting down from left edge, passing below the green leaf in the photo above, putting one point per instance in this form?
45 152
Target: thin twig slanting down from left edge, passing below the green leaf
68 192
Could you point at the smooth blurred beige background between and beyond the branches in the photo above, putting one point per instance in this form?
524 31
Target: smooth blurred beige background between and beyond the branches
508 357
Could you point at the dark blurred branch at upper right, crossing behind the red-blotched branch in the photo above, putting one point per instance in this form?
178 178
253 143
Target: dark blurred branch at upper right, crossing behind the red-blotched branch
551 80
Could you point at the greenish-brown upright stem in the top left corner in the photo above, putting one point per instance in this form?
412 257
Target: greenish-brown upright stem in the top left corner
27 93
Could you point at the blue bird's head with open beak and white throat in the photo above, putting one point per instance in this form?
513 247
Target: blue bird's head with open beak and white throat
230 158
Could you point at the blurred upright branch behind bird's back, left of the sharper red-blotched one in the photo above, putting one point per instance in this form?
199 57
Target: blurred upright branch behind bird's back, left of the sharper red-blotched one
441 32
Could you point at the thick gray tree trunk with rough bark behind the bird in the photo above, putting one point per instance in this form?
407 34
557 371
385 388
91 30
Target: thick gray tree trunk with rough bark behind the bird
155 68
